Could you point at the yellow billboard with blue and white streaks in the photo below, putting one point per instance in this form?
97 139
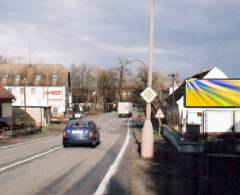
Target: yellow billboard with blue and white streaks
212 93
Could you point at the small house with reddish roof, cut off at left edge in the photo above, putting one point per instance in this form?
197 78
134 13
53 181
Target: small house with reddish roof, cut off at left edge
6 99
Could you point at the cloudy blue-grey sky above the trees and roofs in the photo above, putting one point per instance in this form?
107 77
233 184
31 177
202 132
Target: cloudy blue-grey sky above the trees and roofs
190 36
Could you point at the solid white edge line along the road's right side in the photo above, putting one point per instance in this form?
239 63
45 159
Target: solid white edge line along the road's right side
114 167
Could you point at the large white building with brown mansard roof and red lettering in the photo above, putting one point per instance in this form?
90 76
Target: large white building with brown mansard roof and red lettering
41 89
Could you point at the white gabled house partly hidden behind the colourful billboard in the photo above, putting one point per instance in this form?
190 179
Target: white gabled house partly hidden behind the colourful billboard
210 120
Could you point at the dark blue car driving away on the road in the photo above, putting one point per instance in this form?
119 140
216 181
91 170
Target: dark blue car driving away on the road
80 131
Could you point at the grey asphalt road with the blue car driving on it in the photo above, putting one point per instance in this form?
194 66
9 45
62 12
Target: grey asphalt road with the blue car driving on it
44 167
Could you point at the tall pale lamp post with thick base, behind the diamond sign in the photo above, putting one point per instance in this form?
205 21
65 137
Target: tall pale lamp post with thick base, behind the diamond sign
147 132
